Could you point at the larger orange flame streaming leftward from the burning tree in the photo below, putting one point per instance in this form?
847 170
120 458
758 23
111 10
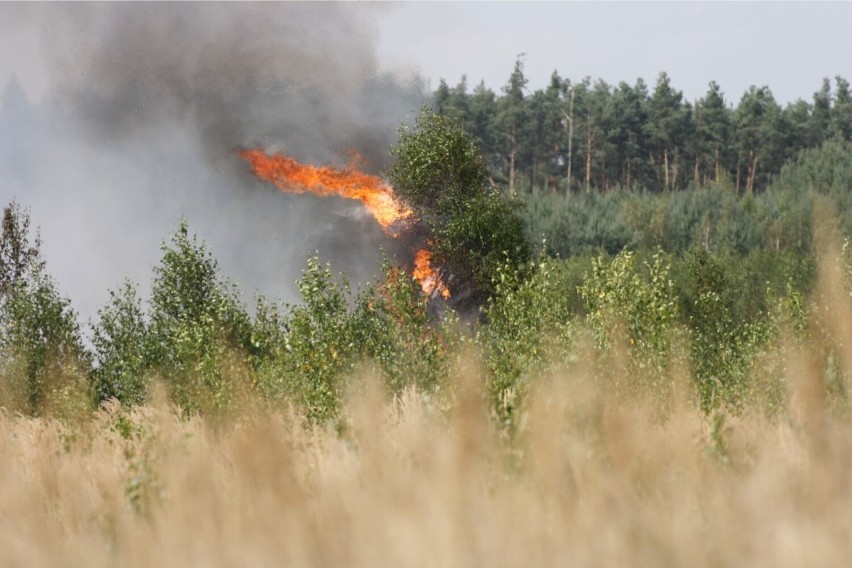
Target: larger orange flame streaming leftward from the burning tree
289 175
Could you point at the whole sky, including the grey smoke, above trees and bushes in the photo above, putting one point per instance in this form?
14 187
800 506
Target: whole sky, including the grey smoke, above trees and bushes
118 119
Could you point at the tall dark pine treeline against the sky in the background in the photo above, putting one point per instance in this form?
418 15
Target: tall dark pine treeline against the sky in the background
593 137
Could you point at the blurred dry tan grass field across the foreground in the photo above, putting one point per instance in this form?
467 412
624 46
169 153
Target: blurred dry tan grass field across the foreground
595 479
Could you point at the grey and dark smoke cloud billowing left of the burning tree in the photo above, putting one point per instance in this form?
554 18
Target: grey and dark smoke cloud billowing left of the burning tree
147 105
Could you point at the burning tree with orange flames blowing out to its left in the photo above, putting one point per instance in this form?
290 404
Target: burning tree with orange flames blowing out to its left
438 199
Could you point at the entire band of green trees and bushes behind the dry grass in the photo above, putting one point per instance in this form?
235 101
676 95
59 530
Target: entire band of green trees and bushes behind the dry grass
726 191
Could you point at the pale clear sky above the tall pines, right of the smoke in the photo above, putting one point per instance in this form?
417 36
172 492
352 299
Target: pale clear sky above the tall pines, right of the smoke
788 46
